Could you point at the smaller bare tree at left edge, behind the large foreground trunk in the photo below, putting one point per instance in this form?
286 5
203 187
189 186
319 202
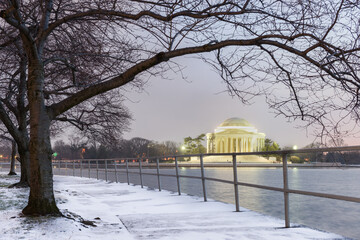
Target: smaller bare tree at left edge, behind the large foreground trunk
13 101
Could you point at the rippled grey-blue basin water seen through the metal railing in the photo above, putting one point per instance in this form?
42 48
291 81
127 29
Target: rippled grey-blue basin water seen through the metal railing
325 214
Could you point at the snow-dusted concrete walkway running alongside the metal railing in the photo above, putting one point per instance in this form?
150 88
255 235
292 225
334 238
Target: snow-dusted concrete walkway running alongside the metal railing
149 214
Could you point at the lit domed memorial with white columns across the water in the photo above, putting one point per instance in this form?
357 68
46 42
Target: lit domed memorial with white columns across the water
235 135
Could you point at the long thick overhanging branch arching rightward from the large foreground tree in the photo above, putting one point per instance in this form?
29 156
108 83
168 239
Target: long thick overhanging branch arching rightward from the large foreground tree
132 72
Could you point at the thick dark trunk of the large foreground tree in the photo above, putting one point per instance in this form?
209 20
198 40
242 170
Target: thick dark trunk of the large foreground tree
41 199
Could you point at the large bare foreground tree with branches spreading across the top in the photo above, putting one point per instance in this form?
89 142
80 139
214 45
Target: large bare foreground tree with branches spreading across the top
76 50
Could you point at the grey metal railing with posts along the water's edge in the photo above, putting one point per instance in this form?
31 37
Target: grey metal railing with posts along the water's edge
128 164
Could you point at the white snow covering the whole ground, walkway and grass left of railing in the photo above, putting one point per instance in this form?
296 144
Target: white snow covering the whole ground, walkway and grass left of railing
127 212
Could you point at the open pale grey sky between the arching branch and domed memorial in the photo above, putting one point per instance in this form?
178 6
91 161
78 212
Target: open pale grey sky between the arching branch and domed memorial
175 109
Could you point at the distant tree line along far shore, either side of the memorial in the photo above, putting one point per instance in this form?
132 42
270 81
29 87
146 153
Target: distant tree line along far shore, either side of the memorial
141 147
